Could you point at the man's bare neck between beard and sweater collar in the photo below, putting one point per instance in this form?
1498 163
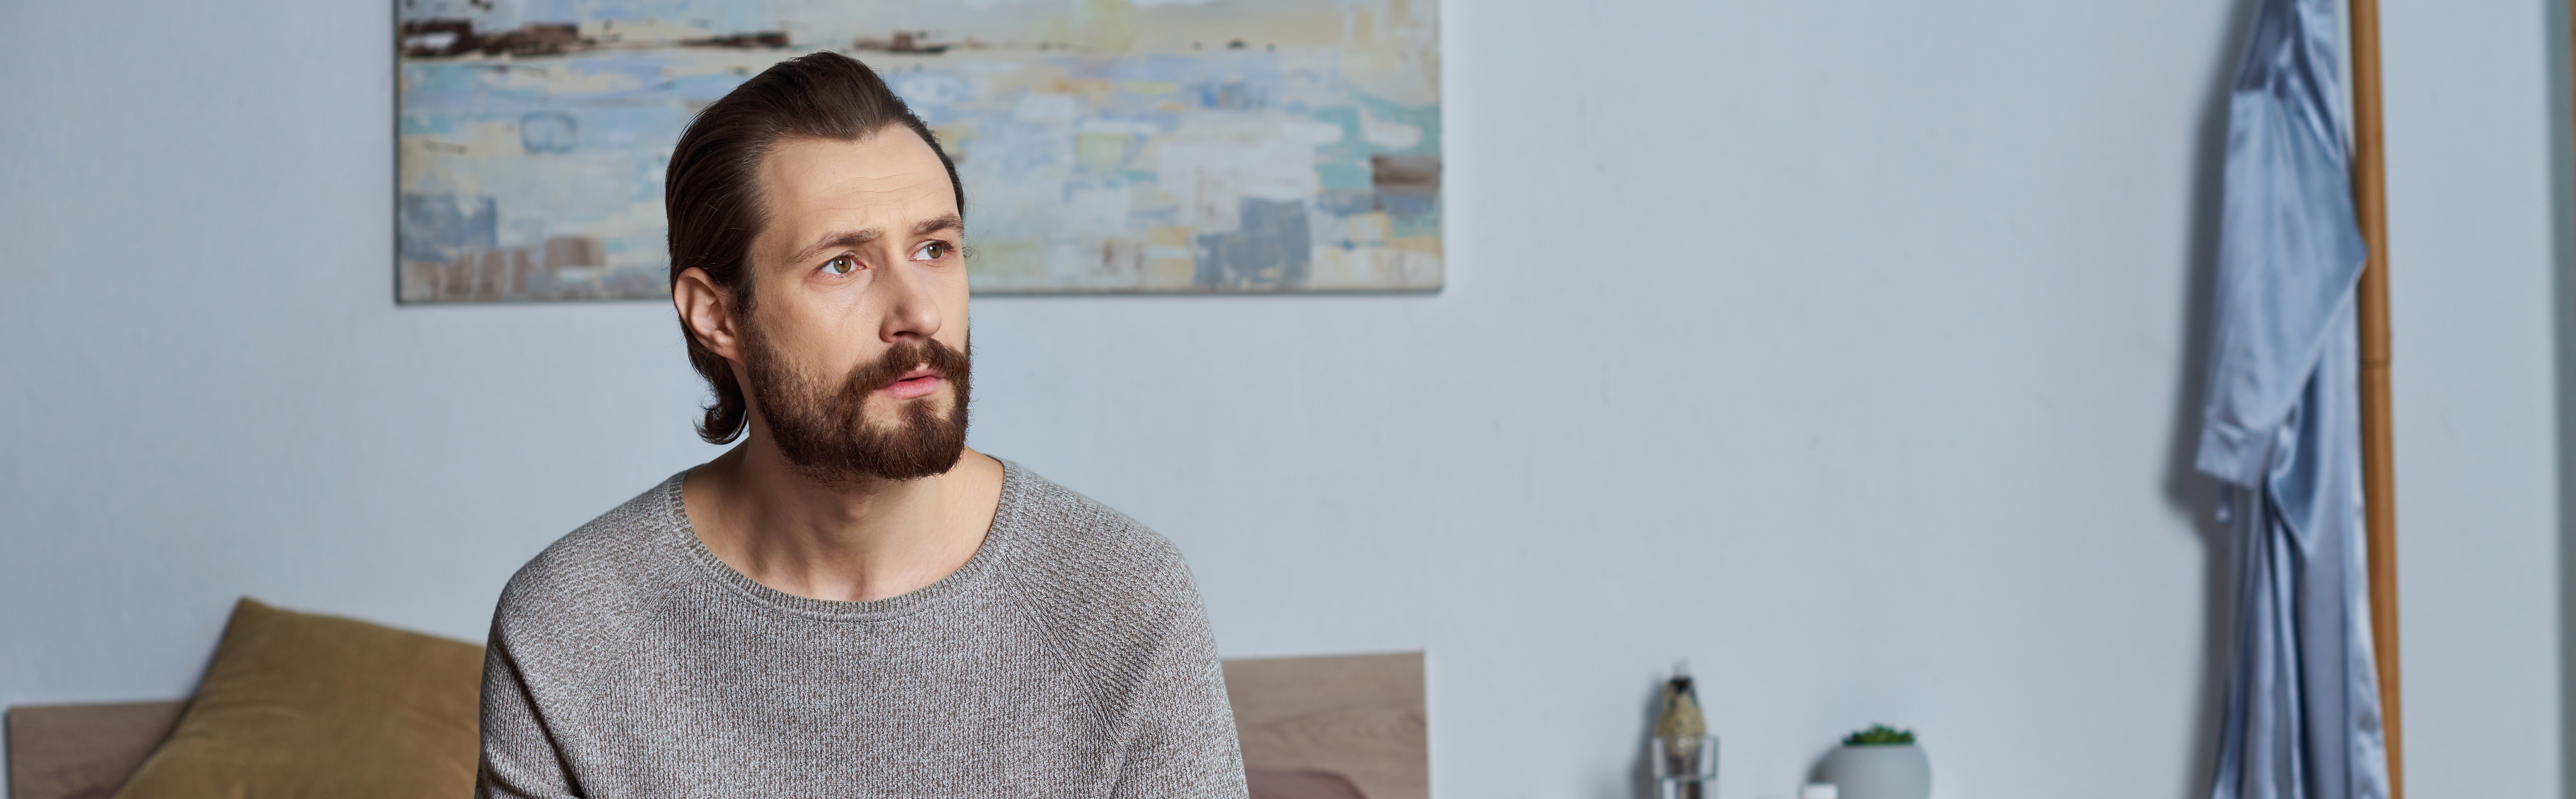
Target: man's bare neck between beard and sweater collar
838 543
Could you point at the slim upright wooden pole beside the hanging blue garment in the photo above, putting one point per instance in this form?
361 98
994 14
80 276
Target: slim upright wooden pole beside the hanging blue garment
2379 447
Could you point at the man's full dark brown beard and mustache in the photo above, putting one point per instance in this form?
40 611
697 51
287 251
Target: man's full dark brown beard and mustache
826 432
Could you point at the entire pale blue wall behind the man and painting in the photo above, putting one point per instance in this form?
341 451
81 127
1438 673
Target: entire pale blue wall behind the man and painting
1835 349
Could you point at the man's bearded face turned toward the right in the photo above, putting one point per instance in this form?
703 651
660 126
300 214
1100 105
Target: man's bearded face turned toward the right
854 347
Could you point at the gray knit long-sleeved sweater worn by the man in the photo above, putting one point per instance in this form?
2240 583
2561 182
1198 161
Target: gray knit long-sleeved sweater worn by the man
1068 659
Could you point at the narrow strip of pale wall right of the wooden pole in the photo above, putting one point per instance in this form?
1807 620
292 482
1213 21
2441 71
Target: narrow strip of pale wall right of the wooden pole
2474 218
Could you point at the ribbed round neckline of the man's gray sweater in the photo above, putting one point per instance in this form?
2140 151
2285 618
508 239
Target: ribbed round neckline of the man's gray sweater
885 610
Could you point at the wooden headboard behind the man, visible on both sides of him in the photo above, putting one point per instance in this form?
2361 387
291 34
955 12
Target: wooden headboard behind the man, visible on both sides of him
1351 715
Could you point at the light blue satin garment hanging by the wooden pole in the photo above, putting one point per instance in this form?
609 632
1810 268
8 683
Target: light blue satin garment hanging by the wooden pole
2284 427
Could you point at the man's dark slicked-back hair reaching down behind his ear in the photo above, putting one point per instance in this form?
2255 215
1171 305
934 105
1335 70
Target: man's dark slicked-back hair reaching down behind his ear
712 187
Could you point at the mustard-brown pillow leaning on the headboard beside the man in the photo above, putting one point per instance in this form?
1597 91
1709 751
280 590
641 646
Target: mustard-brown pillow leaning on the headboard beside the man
305 705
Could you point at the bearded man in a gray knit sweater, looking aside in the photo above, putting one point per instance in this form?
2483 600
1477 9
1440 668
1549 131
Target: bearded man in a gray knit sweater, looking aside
849 602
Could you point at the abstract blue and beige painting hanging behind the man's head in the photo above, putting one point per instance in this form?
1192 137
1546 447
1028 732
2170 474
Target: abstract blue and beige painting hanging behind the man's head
1106 146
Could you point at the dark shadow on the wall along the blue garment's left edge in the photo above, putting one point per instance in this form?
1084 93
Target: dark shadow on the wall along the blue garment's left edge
2183 486
